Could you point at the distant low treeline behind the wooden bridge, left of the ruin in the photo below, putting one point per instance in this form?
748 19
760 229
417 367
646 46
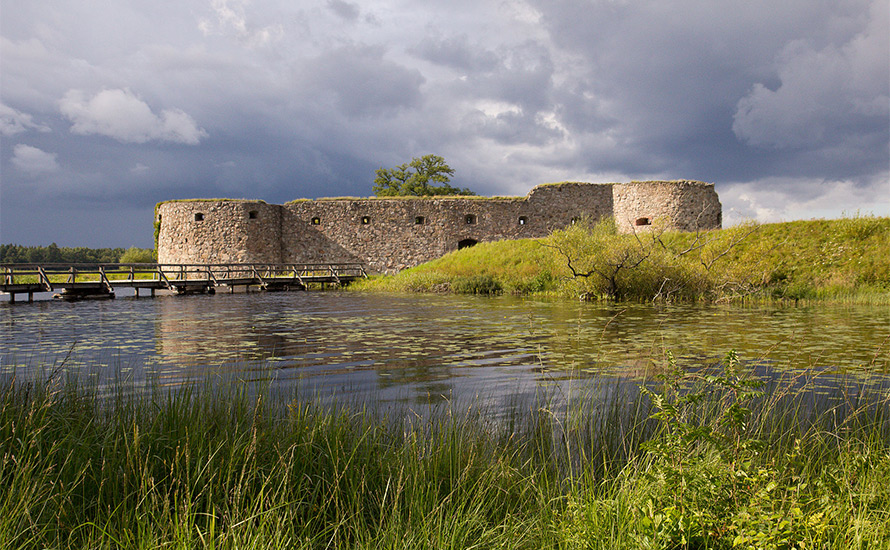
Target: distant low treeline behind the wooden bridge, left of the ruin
14 253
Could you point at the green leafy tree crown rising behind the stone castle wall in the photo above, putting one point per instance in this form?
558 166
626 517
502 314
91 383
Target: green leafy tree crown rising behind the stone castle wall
422 177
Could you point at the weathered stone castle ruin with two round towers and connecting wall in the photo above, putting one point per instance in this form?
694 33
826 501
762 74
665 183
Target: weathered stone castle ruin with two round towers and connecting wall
389 234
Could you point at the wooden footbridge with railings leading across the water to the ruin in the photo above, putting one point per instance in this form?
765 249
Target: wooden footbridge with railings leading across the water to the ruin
80 281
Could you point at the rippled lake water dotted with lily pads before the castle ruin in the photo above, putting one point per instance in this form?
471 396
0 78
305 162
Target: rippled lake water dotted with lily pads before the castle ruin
426 348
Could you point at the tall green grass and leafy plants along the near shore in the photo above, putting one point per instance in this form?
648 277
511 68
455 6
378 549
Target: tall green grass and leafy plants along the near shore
727 465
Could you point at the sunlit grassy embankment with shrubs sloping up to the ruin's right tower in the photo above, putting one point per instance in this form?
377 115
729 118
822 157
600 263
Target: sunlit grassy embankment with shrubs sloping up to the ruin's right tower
841 260
